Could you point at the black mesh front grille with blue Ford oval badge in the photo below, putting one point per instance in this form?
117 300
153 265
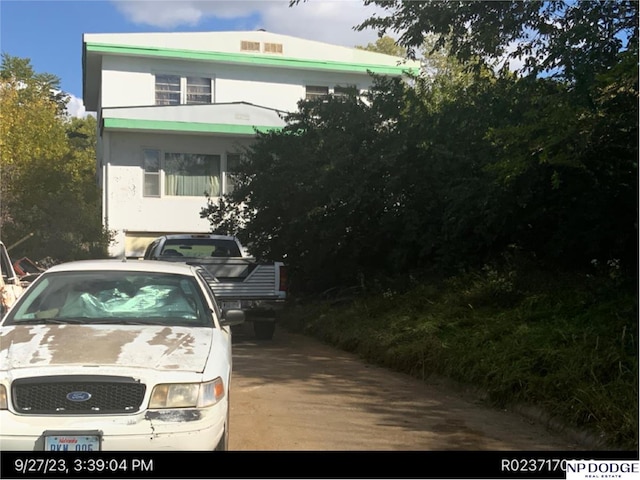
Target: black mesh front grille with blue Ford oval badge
77 395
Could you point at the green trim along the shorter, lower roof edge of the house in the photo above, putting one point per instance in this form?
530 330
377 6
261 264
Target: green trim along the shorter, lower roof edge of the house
192 127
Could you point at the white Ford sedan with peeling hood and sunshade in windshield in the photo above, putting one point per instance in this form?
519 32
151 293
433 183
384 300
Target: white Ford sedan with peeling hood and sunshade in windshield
116 355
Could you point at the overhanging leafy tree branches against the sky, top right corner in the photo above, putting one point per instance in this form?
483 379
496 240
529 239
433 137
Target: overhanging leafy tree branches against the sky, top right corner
571 40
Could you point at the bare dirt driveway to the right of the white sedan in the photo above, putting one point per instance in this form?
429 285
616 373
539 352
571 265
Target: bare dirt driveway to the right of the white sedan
295 393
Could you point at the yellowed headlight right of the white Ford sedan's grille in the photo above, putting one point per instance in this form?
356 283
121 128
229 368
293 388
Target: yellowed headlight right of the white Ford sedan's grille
181 395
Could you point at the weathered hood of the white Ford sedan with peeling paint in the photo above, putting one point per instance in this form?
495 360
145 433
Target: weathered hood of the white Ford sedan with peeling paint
148 346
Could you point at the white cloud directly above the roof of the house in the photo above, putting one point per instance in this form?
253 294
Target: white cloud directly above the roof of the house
330 21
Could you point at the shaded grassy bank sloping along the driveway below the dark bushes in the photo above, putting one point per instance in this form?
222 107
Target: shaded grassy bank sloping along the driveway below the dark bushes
565 343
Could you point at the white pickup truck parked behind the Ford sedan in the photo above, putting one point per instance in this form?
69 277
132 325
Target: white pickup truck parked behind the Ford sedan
238 280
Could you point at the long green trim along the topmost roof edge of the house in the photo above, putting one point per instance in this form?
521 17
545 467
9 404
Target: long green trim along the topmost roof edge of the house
251 59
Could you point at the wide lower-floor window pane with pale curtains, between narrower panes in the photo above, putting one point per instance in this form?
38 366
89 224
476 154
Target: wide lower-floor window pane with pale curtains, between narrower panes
191 175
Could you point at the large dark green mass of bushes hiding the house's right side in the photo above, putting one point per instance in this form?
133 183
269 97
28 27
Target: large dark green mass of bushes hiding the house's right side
441 176
